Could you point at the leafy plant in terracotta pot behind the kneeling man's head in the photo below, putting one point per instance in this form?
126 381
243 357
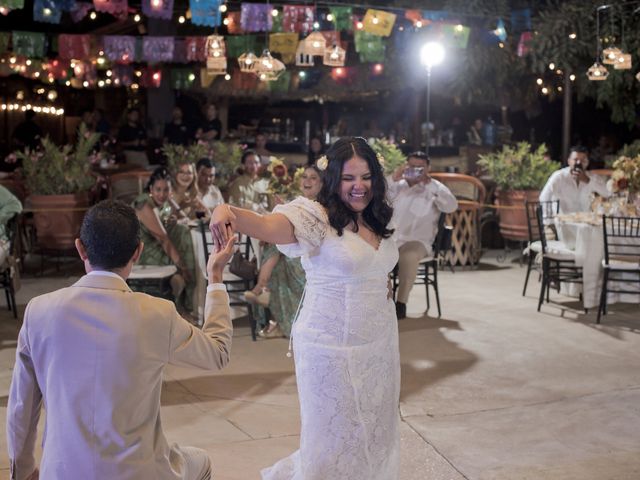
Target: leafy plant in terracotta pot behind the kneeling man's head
58 180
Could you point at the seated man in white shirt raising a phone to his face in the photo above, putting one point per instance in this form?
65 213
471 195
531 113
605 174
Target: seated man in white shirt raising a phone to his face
417 202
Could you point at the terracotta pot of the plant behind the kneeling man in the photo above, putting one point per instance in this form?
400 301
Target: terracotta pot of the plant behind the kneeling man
58 219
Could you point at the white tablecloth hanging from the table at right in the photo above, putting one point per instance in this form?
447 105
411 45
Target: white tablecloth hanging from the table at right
587 241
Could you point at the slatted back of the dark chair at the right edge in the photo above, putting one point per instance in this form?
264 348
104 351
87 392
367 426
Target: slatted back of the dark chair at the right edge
621 239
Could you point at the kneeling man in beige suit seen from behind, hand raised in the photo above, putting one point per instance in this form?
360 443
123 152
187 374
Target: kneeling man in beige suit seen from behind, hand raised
94 353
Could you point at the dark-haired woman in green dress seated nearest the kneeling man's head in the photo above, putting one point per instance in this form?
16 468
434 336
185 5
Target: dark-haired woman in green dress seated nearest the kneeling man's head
165 240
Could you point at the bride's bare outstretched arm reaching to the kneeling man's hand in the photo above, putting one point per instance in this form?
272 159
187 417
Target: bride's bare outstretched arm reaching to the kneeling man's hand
271 228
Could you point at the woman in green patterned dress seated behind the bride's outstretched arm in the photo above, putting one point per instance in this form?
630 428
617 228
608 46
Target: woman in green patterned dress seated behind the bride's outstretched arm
281 279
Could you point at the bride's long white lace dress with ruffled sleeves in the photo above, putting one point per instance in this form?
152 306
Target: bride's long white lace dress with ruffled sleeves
346 353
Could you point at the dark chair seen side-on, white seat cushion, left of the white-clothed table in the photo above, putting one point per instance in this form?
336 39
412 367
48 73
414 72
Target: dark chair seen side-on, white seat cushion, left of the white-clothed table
558 262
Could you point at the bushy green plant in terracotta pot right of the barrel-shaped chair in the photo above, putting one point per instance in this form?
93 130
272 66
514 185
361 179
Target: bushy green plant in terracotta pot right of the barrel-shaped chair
520 172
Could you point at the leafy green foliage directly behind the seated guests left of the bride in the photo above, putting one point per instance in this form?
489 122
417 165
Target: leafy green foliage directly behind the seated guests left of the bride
224 155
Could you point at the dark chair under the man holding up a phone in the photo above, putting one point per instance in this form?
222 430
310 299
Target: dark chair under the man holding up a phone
428 268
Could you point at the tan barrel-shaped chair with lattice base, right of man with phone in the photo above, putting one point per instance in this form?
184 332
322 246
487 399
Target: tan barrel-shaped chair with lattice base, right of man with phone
471 194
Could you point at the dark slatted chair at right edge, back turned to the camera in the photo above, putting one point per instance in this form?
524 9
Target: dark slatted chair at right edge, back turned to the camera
621 262
